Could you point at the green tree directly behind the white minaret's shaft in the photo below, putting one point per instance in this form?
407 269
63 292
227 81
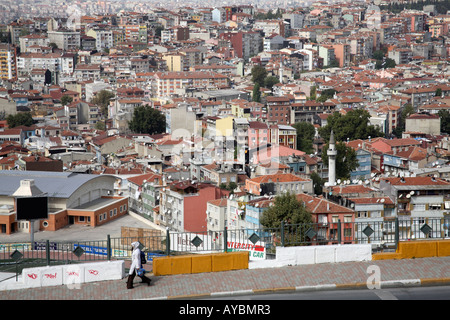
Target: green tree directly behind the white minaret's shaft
346 160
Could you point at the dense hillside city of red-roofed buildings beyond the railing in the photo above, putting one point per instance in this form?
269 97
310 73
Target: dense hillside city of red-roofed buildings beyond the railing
200 118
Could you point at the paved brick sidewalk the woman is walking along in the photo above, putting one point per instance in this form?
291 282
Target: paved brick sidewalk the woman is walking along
393 273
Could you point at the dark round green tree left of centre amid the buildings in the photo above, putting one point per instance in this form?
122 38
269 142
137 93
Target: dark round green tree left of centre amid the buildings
147 120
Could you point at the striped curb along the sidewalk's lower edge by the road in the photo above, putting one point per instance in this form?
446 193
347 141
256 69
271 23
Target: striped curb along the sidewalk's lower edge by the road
324 287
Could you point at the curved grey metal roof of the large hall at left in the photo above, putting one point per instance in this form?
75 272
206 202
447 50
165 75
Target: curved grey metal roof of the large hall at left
55 184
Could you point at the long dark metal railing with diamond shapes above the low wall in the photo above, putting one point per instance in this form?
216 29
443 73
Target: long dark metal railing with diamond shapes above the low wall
260 242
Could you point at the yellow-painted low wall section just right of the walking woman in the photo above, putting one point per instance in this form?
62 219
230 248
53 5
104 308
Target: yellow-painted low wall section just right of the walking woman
200 263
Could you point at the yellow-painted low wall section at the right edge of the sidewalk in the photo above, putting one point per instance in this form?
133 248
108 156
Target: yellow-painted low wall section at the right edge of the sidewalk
417 249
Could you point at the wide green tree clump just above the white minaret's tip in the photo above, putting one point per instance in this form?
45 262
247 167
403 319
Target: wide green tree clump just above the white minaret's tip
354 125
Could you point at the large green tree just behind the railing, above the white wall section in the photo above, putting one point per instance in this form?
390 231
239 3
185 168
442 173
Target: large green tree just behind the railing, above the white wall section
286 208
